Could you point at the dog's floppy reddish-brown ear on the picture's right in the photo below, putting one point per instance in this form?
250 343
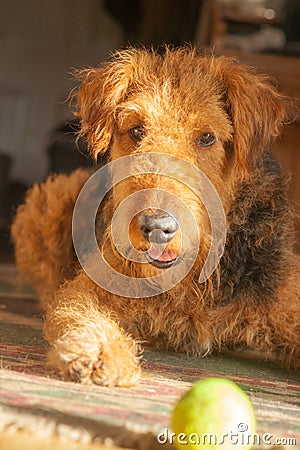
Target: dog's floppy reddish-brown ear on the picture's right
256 109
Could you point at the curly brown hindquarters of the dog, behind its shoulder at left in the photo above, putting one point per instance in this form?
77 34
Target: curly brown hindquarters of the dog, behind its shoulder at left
51 258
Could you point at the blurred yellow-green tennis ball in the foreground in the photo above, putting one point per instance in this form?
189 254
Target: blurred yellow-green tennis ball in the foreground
214 414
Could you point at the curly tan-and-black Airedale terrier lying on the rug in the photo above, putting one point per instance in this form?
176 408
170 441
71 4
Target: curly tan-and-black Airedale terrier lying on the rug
190 110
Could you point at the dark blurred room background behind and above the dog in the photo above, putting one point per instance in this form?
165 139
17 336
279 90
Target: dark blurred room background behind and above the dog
41 41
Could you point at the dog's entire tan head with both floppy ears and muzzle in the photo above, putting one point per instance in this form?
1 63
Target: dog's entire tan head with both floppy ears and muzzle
210 112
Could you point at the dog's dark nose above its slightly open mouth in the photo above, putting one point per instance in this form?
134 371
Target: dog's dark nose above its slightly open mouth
158 227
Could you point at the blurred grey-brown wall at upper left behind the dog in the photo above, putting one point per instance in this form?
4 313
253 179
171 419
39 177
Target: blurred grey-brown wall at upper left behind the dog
40 41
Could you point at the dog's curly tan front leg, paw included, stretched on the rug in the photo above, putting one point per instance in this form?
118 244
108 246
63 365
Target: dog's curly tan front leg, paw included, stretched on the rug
88 345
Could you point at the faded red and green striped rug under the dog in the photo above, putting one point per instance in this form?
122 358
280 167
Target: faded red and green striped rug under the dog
33 398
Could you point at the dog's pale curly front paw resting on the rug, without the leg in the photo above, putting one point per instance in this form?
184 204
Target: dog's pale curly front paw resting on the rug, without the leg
87 356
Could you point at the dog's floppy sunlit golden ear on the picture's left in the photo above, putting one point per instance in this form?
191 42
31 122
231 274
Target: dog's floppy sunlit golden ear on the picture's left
99 93
